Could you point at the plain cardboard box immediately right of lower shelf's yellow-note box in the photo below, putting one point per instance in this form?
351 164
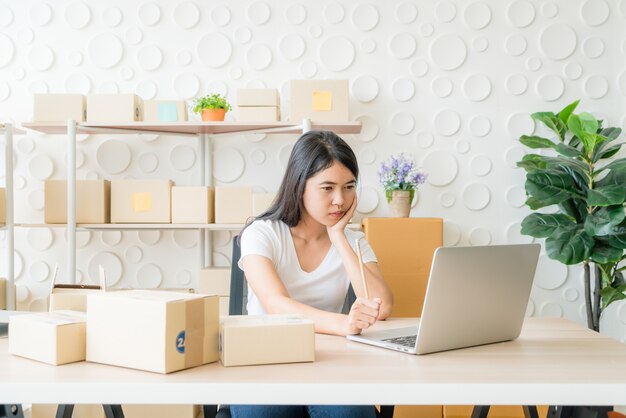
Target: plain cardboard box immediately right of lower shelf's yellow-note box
193 205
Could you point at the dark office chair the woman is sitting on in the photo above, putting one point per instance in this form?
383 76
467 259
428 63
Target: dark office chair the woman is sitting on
236 306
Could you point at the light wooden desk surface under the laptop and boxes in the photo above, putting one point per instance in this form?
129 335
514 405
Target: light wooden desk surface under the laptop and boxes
553 362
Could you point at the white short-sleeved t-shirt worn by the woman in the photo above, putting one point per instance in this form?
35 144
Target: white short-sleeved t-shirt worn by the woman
324 288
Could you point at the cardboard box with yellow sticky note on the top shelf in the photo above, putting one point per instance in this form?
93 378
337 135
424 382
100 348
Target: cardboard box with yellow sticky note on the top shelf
319 100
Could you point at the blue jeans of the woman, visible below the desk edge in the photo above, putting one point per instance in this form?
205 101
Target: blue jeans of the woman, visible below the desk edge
313 411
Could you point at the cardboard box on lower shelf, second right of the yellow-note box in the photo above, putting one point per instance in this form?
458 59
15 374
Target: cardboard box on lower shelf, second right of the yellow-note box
233 205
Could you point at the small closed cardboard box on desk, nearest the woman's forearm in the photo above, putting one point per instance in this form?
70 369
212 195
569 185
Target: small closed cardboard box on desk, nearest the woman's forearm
275 338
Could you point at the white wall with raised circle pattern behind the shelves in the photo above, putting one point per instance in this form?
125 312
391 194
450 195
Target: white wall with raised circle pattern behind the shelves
451 82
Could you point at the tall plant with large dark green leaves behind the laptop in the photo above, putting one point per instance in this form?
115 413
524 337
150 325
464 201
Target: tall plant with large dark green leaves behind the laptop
588 187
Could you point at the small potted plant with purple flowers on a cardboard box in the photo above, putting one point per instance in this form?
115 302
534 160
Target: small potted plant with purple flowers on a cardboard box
400 177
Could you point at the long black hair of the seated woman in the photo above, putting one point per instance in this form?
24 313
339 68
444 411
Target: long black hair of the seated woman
313 152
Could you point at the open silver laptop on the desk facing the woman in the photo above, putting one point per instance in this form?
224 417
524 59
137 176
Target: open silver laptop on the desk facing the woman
475 295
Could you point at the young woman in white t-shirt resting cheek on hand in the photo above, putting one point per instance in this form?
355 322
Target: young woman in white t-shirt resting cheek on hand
298 256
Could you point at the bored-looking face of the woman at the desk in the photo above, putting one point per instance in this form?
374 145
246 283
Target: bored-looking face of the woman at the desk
329 194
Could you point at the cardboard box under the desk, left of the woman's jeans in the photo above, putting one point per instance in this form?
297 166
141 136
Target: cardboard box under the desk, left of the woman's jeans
130 411
